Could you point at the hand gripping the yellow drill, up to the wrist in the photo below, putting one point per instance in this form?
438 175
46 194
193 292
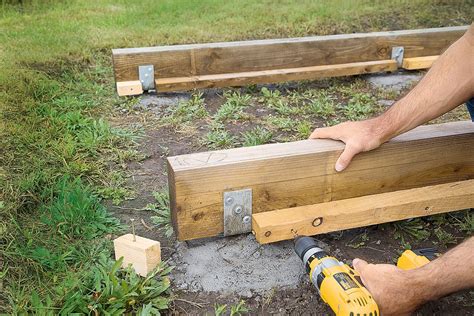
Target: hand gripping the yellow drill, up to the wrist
392 288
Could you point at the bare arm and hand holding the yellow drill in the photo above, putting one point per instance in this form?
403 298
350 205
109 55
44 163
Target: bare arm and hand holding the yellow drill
399 292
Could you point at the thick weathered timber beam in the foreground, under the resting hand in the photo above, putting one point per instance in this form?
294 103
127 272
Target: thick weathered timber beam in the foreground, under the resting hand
302 173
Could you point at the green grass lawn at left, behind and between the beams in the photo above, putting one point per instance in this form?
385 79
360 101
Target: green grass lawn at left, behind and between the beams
64 156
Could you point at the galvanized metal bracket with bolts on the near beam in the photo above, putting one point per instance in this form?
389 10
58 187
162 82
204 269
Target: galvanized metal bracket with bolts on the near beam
237 212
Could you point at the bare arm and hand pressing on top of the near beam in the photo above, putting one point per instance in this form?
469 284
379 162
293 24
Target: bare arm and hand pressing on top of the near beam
448 83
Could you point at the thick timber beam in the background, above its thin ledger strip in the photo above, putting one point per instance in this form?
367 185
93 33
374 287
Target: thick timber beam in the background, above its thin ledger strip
249 56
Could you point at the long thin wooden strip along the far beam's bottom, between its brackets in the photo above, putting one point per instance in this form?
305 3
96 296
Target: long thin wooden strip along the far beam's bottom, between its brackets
270 76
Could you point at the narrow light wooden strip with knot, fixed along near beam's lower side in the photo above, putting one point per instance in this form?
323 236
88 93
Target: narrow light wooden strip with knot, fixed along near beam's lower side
362 211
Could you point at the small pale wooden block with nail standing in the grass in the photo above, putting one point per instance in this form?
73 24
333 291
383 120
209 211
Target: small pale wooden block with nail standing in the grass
144 254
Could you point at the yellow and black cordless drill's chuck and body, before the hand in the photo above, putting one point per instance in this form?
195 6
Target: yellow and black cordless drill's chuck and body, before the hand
337 284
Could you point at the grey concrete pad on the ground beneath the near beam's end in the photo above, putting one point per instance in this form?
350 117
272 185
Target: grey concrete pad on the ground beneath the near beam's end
236 265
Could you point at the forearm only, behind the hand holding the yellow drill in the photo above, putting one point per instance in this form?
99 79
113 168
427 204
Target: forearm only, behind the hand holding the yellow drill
454 271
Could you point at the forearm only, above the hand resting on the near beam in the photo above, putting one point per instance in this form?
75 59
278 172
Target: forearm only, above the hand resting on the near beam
448 83
